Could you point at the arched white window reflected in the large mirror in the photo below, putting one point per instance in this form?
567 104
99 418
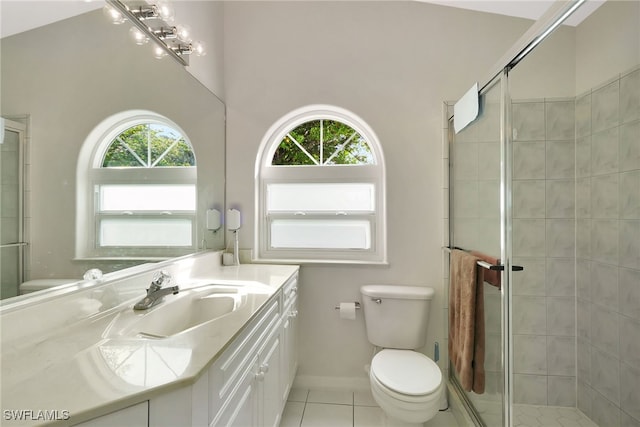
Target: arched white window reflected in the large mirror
139 183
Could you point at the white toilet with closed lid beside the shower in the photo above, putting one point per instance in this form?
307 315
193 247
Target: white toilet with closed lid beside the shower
407 385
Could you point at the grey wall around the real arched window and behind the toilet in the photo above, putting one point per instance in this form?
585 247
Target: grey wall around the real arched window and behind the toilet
392 63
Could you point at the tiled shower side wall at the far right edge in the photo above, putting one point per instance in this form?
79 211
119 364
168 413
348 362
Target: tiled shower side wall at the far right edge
608 251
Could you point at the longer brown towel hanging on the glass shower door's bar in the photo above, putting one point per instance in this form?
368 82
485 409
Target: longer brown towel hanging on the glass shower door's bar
466 320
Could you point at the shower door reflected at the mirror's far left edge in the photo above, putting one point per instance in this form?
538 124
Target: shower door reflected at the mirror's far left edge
11 230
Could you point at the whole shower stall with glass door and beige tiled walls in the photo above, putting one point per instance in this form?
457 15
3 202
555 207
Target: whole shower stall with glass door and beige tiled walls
547 180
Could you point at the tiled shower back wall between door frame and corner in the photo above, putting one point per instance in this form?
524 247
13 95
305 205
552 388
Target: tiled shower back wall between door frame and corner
543 243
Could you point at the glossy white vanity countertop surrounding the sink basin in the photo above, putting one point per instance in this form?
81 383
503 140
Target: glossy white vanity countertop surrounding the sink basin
77 365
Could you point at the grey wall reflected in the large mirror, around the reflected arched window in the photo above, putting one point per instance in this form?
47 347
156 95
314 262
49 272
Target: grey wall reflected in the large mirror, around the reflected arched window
62 80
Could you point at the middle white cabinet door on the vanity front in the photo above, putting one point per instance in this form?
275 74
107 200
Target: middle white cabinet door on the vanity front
270 382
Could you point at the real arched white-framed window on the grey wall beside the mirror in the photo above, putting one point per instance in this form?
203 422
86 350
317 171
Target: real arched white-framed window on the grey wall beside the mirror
320 189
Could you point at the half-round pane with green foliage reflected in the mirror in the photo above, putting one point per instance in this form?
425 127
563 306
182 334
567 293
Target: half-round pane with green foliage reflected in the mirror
147 146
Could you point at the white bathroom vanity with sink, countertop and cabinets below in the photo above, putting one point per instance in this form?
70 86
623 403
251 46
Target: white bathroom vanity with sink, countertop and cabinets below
221 352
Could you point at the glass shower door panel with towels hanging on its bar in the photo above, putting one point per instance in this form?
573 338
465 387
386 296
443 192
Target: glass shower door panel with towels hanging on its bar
478 223
